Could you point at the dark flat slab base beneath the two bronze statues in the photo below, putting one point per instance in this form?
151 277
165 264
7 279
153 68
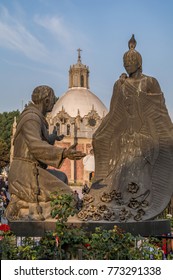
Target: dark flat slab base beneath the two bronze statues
145 228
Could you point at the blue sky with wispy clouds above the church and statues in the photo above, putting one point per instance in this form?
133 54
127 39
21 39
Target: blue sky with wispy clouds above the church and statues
39 41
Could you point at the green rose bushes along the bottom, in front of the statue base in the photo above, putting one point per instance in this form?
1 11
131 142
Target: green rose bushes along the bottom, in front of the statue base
66 241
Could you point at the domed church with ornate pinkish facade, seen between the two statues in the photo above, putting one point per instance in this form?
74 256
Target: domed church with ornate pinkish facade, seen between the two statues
76 114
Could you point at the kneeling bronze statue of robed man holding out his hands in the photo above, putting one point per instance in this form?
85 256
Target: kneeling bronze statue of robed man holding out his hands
30 184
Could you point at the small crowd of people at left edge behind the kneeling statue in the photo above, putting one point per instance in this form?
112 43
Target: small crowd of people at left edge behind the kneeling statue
4 198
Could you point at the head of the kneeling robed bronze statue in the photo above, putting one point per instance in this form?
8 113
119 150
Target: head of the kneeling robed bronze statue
45 95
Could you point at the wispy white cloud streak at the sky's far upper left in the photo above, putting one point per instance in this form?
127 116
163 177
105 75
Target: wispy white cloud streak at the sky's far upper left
14 35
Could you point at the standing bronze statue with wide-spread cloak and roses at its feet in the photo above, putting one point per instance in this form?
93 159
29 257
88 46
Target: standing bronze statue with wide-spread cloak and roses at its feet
133 150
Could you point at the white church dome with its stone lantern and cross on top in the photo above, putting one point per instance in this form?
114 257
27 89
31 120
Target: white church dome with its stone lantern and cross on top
79 99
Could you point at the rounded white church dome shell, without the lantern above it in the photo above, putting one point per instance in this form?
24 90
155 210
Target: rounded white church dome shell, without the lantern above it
79 99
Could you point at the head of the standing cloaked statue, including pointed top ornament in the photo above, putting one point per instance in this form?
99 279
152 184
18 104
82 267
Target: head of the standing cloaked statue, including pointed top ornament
132 59
